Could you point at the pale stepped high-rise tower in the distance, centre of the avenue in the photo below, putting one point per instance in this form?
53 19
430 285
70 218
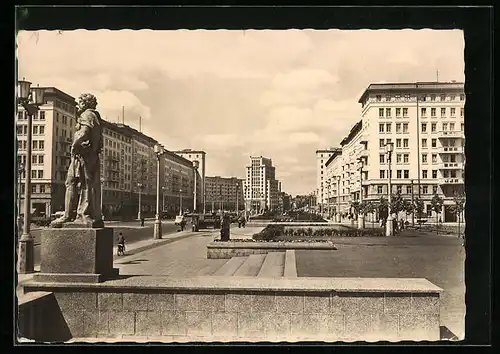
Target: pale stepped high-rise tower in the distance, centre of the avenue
261 186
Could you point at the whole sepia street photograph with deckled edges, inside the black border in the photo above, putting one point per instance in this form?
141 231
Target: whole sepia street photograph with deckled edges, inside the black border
255 185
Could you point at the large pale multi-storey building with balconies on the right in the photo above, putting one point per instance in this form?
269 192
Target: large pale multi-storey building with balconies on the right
425 122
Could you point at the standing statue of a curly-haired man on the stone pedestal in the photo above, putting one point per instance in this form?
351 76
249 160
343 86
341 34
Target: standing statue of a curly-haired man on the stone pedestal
83 190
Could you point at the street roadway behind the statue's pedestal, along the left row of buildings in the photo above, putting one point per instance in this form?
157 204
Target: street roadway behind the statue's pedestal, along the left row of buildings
132 231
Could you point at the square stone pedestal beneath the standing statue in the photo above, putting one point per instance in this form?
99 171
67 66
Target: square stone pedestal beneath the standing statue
72 254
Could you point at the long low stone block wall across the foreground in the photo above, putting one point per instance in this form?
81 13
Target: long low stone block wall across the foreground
229 312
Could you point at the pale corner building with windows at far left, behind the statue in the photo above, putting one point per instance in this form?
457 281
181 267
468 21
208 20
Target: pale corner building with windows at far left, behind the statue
52 133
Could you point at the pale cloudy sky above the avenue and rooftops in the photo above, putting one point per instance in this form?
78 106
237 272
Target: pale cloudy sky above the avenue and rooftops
280 94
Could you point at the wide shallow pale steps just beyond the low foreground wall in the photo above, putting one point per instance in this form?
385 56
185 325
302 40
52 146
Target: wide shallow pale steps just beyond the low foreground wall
270 265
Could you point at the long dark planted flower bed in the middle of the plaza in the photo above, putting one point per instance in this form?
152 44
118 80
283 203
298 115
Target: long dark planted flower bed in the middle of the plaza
288 233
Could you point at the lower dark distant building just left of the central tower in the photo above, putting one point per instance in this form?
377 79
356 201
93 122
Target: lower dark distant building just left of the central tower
222 193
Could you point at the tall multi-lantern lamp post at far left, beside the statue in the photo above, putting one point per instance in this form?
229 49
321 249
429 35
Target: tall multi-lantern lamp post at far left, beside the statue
31 99
